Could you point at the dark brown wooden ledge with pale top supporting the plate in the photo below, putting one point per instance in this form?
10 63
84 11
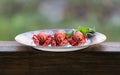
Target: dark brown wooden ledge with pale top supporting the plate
101 59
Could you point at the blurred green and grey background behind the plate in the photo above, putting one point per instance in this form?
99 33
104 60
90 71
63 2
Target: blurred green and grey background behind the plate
18 16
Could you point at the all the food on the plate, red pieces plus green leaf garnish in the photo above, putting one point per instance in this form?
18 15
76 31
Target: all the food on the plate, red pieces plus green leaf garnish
77 37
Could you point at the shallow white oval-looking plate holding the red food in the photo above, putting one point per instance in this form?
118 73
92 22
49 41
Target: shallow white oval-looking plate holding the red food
26 39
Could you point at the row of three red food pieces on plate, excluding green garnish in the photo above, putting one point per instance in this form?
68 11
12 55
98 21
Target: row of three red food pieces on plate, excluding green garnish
59 39
